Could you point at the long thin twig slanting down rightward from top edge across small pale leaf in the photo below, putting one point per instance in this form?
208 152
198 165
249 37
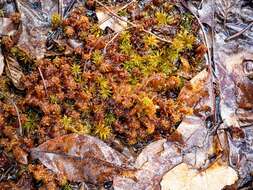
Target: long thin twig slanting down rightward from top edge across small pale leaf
131 24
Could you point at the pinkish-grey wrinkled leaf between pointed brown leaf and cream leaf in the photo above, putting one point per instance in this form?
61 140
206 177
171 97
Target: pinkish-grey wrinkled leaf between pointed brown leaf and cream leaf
152 163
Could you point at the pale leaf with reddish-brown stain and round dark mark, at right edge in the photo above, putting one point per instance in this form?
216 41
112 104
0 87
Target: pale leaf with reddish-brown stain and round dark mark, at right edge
236 100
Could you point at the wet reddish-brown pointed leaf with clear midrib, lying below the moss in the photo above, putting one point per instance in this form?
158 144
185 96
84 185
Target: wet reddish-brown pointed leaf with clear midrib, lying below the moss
83 158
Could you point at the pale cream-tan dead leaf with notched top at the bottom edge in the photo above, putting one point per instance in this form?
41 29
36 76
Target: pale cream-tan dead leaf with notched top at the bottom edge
184 177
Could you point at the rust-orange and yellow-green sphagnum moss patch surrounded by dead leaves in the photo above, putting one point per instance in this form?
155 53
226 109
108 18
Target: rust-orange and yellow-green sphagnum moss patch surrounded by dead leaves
128 92
